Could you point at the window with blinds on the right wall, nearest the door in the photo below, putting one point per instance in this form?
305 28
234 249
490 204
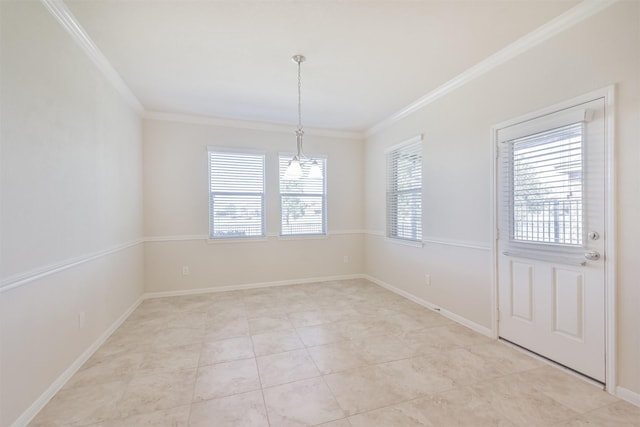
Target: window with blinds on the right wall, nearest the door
404 191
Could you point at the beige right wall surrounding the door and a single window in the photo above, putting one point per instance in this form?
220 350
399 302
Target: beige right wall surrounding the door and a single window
603 50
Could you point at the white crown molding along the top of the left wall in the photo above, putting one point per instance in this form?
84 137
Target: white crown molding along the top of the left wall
69 22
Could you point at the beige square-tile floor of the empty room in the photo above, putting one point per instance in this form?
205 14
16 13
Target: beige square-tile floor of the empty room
335 354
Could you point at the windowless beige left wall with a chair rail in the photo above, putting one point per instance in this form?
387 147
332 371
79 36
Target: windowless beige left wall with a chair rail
71 188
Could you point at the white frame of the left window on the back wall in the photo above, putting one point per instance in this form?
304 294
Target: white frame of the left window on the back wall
212 150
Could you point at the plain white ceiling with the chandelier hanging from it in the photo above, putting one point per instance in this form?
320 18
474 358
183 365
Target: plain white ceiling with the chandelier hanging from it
365 59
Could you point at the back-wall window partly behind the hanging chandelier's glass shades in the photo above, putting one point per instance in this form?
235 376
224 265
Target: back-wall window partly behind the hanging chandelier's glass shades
303 201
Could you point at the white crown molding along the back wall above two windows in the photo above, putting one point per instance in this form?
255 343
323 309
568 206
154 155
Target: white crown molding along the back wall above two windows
247 124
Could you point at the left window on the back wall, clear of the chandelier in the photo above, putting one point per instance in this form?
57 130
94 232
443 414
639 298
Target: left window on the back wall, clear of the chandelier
236 195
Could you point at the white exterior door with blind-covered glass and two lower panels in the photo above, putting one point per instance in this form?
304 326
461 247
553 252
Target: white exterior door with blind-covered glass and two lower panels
551 236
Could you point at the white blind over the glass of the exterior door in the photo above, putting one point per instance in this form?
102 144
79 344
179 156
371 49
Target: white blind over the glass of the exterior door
544 195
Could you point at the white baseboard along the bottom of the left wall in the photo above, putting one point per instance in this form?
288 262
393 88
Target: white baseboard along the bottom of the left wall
45 397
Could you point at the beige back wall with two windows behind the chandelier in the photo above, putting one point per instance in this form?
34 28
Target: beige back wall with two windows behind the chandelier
176 209
